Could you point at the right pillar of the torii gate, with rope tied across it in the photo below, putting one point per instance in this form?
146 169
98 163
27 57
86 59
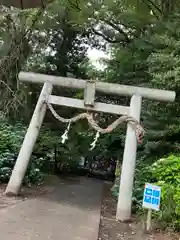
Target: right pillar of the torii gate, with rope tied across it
128 166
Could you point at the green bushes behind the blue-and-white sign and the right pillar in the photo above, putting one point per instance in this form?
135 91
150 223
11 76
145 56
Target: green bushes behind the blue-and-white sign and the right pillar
165 173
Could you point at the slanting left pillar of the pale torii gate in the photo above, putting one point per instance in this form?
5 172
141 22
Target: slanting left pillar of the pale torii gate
30 138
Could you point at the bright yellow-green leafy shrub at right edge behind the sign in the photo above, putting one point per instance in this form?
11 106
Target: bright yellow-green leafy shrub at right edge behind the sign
166 172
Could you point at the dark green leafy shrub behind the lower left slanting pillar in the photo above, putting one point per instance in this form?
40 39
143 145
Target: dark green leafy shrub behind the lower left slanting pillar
11 138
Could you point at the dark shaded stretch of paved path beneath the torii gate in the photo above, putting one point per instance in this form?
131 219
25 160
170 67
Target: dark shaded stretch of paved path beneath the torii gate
81 192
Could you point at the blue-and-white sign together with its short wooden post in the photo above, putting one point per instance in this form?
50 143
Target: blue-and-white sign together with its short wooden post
151 201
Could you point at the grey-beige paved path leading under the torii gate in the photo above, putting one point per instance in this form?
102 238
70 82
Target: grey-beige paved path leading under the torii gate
71 212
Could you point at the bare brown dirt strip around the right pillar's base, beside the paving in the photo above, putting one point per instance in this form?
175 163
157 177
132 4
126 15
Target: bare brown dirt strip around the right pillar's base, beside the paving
110 229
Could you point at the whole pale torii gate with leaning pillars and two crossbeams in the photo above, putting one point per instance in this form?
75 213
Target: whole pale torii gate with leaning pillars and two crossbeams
134 110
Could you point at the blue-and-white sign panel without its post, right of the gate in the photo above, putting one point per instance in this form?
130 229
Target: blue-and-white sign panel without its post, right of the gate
152 196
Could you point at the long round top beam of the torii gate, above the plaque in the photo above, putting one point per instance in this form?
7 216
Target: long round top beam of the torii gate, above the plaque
108 88
